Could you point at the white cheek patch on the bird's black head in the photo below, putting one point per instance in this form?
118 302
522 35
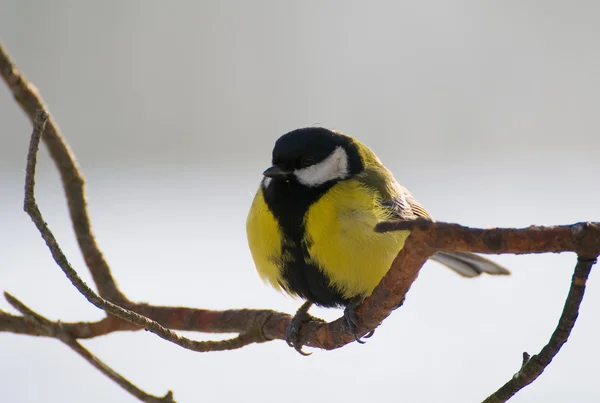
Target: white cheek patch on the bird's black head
335 166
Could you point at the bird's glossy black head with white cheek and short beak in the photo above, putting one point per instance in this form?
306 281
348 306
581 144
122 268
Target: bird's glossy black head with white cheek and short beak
314 156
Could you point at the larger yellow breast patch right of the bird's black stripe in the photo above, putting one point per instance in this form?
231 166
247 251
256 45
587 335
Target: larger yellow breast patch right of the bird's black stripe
340 226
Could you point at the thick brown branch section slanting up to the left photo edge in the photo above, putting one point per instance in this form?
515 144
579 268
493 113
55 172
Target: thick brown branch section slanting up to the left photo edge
30 101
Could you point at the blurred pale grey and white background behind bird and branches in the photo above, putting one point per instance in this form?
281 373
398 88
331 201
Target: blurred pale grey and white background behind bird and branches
486 111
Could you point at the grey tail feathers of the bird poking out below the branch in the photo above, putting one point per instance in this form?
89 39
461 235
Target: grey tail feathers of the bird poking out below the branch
469 264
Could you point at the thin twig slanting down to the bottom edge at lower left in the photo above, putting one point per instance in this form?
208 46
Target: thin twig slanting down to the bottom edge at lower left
55 330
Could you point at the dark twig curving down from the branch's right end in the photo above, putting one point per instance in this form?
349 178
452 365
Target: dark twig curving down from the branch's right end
534 366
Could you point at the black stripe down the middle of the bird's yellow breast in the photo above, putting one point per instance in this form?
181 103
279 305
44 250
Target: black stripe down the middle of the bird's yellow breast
289 201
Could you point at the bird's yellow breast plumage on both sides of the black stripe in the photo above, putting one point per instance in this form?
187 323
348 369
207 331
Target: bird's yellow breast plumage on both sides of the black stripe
339 228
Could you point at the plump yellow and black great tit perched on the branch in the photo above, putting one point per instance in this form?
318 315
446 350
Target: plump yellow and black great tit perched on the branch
310 227
